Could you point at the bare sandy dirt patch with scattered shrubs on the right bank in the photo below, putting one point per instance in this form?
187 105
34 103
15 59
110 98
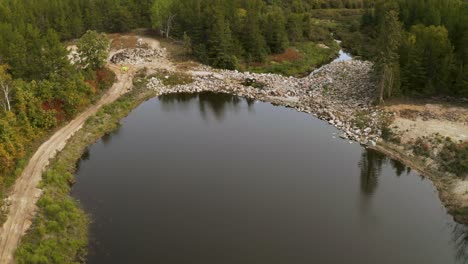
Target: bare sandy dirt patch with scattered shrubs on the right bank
426 129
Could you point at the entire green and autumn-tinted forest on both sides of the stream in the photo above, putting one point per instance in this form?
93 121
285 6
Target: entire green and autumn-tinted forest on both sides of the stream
420 48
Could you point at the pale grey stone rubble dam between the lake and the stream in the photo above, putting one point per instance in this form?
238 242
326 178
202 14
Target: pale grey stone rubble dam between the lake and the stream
334 93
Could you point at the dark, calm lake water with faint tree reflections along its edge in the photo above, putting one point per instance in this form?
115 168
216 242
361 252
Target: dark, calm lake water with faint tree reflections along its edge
214 179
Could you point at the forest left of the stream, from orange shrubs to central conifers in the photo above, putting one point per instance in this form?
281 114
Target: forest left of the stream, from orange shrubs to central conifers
40 88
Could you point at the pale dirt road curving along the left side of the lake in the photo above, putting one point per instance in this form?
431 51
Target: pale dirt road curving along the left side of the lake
25 192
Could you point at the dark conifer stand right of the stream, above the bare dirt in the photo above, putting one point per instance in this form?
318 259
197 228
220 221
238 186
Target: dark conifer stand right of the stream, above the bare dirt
421 46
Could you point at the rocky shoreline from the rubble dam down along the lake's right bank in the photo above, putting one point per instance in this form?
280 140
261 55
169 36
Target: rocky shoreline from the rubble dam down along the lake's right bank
341 93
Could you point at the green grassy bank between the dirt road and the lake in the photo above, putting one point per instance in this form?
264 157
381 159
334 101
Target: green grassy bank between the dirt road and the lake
59 233
